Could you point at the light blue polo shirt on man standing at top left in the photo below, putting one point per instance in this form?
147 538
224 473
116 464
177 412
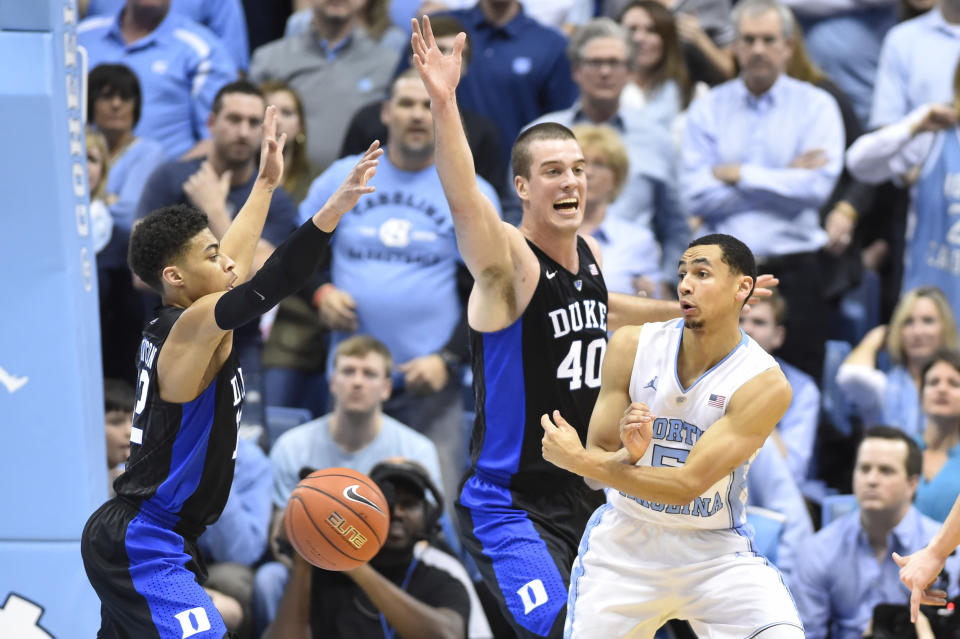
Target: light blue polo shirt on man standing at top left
181 65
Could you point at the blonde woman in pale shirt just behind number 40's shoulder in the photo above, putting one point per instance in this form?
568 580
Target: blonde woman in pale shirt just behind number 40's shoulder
631 256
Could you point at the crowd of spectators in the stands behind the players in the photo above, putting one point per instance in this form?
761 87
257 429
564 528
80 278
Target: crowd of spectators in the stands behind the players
822 133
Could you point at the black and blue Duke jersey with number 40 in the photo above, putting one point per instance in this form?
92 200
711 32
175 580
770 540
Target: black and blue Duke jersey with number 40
549 359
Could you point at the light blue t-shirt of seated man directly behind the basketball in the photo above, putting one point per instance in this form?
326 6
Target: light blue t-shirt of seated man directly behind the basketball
310 445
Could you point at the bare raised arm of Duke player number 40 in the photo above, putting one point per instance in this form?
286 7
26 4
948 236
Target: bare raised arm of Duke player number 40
481 235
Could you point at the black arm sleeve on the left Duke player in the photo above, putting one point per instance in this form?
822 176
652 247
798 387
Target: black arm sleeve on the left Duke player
285 272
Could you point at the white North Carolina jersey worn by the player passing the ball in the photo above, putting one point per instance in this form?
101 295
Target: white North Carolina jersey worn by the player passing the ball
682 415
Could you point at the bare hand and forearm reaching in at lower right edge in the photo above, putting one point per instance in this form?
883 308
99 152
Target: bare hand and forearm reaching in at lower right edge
919 570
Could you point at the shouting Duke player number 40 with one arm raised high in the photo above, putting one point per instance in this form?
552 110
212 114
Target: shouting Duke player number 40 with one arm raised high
539 313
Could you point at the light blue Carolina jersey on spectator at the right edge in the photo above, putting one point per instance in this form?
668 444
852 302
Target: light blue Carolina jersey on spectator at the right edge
933 250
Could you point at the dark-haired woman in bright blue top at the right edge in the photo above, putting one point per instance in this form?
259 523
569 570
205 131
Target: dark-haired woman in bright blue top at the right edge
940 479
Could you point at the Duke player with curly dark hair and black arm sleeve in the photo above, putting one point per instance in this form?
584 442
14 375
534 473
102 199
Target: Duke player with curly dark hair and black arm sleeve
139 549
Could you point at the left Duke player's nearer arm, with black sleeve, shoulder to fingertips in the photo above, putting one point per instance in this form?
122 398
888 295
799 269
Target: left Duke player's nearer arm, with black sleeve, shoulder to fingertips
184 361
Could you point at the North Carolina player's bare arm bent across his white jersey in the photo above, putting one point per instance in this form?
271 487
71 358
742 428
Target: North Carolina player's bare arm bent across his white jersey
751 416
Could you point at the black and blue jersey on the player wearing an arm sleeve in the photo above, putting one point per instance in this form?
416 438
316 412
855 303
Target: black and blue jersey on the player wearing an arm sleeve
181 455
